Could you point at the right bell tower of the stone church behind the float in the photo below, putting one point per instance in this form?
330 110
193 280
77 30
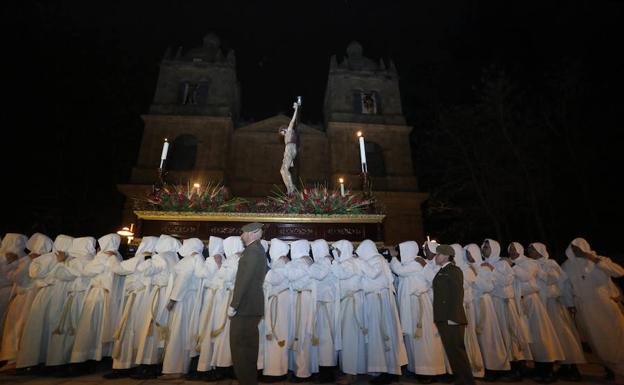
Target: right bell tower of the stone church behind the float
363 95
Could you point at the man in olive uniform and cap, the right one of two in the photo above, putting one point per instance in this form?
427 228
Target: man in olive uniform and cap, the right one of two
449 315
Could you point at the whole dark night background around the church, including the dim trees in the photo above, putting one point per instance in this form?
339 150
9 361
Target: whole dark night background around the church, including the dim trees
516 105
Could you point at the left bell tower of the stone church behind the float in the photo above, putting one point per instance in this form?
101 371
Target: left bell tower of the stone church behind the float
196 103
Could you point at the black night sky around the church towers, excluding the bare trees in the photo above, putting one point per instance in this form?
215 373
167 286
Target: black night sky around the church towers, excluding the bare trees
78 75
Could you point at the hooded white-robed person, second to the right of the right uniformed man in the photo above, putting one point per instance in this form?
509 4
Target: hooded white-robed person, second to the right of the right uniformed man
487 329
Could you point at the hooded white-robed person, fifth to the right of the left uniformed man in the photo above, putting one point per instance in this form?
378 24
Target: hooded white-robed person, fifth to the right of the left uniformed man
385 350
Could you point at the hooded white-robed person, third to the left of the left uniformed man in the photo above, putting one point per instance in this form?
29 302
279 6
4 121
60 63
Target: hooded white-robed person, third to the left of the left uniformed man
185 286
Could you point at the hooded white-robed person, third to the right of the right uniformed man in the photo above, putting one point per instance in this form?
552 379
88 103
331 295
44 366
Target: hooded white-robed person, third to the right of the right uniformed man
512 323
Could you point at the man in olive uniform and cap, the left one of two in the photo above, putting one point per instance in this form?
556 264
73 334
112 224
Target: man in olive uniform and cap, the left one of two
247 306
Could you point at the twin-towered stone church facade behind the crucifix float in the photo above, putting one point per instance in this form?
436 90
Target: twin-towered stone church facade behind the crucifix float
196 107
